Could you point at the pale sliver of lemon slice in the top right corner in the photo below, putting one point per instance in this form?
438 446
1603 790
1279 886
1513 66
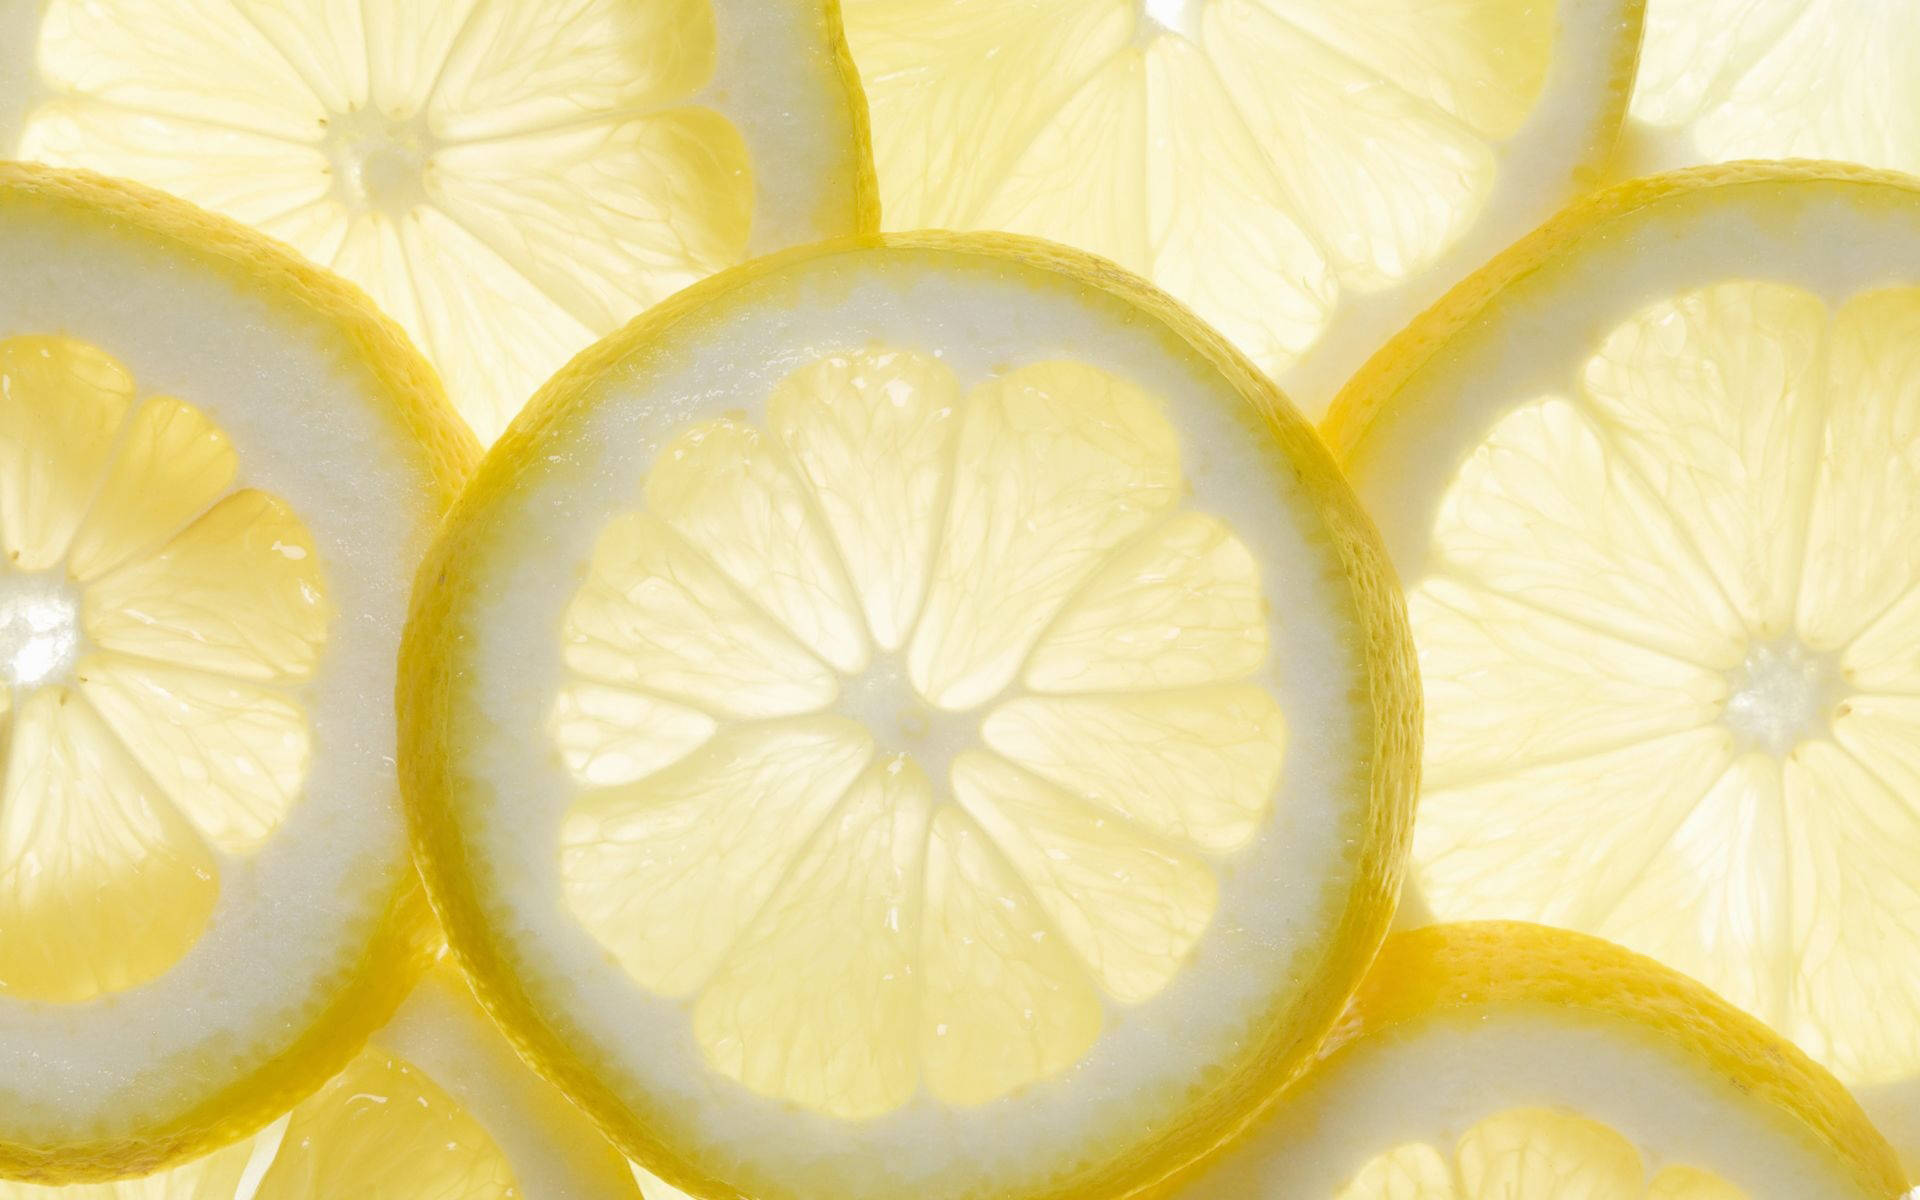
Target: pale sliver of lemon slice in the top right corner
1729 80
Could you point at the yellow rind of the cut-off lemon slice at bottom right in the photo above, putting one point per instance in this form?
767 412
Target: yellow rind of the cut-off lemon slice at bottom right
1477 969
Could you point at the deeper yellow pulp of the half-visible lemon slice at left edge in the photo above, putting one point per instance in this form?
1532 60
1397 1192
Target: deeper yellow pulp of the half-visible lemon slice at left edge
143 625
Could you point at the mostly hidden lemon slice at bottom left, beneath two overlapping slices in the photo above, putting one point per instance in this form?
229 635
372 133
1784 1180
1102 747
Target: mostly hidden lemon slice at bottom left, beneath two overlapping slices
437 1107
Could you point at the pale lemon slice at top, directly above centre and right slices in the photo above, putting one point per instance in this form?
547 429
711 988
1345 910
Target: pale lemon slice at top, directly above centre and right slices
1303 174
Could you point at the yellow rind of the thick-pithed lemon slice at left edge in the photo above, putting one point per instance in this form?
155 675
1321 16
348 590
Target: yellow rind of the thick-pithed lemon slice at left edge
412 398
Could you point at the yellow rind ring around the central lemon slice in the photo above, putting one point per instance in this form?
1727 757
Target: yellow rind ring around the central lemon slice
1387 777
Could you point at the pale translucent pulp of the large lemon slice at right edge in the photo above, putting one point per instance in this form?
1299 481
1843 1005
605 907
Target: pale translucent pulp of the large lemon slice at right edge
1683 600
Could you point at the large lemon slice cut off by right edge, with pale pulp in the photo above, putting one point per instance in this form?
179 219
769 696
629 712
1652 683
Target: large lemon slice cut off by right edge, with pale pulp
1652 483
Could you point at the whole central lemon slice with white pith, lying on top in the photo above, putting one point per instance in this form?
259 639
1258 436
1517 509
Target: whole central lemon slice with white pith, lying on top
911 717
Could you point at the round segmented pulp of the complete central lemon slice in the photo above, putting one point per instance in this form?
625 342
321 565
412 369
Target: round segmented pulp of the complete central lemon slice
894 898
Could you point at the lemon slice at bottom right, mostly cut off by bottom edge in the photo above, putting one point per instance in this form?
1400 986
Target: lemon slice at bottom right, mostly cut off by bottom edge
1516 1063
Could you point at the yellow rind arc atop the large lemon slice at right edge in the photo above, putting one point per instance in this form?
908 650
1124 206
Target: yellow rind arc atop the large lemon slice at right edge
1372 393
